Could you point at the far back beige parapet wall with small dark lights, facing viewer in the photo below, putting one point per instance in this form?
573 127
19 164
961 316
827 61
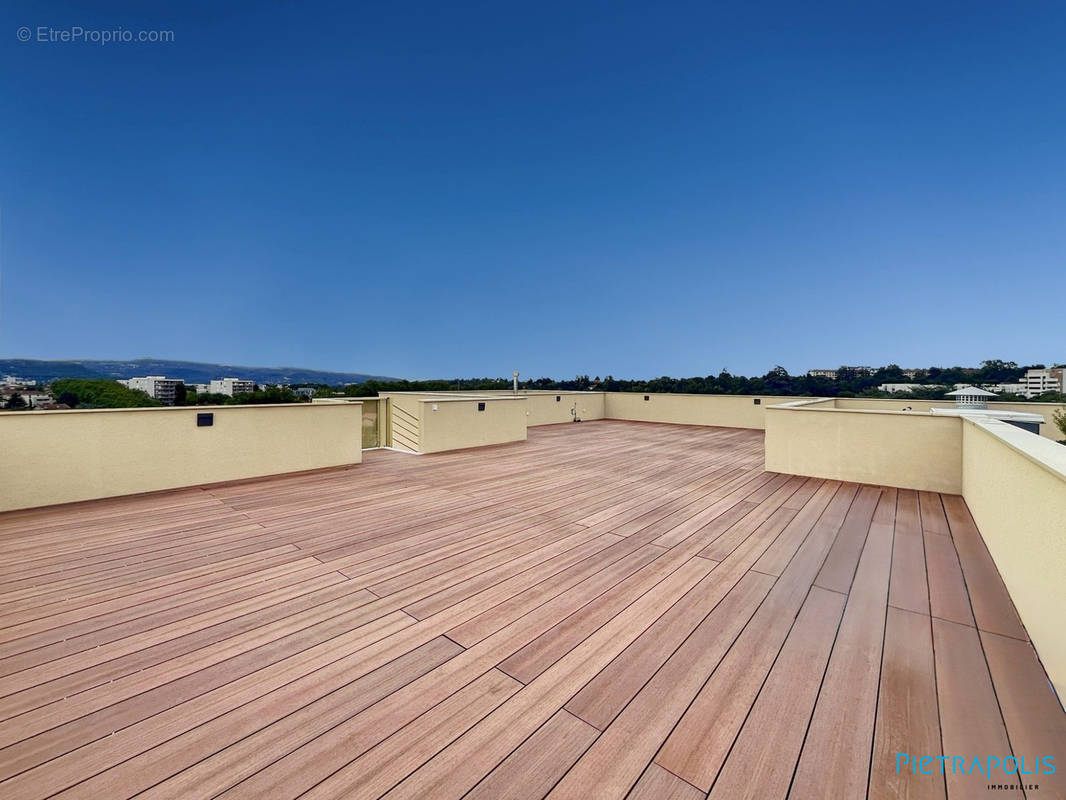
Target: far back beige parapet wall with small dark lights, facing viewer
728 411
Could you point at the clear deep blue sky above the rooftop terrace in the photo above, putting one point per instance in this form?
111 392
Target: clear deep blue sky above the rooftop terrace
635 189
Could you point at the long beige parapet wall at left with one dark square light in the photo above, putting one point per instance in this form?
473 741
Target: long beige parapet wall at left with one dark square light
53 457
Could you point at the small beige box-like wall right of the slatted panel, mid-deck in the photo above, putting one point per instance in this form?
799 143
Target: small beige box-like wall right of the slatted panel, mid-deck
457 424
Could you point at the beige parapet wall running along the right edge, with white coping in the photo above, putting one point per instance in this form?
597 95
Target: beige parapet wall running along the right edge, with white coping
1015 486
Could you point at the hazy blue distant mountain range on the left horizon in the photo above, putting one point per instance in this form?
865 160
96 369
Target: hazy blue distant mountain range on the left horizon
189 372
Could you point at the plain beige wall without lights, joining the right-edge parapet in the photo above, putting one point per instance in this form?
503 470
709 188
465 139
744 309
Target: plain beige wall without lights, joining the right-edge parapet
894 449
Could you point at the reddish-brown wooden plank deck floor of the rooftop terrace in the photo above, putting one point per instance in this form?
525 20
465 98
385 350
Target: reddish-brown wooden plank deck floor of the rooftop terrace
610 610
